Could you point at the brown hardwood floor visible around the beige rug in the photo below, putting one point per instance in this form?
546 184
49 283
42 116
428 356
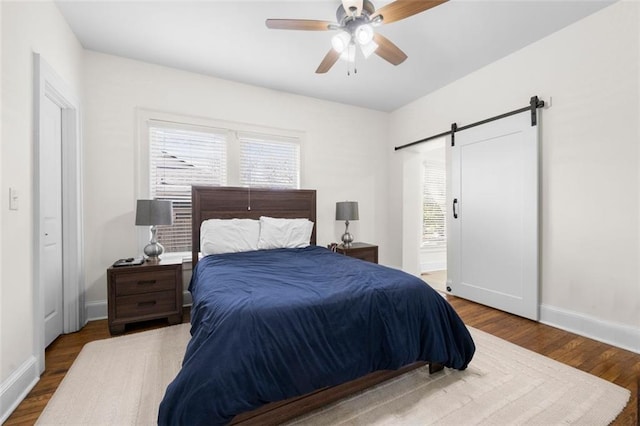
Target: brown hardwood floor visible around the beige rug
606 361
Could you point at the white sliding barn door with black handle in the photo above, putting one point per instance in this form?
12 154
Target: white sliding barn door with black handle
492 251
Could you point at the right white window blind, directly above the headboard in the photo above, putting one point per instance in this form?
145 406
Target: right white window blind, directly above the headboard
269 161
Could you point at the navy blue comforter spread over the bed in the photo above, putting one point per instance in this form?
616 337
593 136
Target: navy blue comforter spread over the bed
273 324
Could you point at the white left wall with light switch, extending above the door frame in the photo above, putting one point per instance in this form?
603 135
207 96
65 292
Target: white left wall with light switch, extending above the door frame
27 27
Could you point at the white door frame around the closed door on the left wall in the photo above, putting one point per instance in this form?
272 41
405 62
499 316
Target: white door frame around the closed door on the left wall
48 84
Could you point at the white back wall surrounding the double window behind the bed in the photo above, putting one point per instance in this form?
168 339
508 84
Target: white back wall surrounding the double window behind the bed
344 151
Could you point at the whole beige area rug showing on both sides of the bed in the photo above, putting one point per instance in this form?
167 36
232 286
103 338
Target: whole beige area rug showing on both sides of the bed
120 381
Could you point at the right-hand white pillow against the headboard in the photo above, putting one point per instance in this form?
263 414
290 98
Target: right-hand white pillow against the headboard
284 233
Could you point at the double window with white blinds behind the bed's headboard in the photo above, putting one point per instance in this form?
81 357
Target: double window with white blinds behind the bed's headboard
182 155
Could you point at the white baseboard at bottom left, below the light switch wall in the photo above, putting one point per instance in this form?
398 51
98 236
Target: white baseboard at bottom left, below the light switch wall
17 387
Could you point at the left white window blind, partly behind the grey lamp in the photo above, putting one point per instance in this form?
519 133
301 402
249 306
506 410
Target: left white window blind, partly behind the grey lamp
181 156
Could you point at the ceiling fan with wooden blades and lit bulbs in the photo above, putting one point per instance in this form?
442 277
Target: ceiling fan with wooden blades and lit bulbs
356 20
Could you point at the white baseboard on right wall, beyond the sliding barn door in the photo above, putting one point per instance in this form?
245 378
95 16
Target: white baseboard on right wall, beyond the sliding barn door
620 335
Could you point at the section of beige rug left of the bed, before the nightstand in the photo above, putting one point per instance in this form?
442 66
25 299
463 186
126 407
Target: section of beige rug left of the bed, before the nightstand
119 381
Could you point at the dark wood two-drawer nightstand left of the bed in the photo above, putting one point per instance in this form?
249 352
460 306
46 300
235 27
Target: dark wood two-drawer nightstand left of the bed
144 292
